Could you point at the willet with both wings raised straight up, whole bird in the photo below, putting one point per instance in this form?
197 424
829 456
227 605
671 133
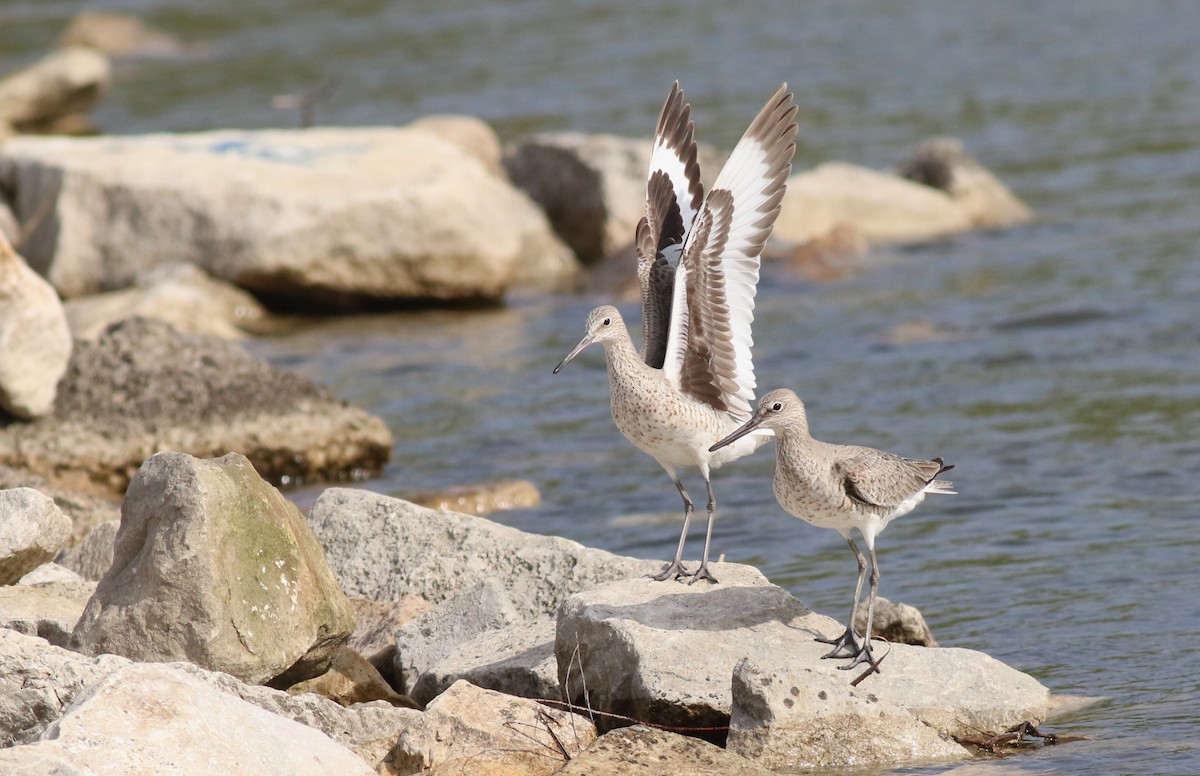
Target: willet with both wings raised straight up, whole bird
698 263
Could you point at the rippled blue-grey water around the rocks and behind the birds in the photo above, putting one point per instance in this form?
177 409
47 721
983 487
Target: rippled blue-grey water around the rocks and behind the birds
1063 377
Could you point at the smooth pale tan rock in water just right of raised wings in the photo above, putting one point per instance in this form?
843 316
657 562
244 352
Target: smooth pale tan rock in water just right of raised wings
880 207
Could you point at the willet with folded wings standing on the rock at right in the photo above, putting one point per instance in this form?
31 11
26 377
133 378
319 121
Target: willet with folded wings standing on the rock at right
841 488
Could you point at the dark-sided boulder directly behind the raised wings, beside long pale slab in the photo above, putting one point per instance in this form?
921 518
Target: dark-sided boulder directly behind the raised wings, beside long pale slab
592 187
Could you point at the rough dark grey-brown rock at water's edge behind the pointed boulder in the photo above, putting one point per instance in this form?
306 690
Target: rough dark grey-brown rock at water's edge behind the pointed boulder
145 388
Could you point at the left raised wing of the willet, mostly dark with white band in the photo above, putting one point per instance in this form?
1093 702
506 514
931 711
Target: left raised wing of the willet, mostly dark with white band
674 196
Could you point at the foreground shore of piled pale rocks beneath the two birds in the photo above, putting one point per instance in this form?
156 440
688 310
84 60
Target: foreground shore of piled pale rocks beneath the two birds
229 624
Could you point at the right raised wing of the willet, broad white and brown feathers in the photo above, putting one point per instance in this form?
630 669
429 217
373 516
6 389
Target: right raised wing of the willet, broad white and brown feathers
709 353
